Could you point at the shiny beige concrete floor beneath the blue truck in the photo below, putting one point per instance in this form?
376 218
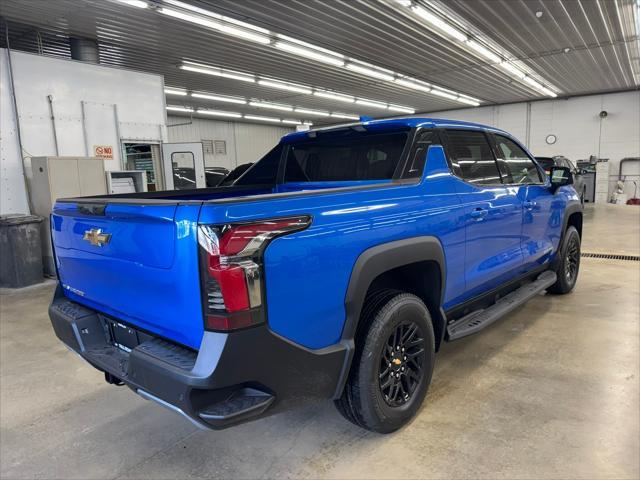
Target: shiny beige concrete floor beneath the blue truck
551 391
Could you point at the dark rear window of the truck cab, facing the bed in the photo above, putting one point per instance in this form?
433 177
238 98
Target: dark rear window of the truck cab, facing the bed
347 156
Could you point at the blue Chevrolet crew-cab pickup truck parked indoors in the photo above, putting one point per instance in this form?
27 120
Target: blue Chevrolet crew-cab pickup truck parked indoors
335 267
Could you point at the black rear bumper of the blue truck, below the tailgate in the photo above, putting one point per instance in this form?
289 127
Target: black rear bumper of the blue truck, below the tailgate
232 378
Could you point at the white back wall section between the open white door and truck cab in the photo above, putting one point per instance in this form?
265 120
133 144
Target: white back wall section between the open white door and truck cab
245 142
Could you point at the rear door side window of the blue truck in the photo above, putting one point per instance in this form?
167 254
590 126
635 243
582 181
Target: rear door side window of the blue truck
472 157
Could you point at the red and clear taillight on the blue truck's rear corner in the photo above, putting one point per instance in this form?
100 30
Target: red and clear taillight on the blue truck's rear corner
231 270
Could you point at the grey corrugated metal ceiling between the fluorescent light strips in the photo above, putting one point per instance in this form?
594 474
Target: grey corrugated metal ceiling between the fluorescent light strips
579 46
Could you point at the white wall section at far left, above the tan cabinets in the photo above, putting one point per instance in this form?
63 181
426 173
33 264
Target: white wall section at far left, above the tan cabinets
117 102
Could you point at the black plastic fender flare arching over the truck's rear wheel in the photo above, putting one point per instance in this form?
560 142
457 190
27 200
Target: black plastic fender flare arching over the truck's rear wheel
372 263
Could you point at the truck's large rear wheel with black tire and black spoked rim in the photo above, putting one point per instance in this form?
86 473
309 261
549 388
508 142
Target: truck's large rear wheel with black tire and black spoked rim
392 365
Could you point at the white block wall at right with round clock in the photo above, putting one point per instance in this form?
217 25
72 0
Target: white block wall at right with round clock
577 125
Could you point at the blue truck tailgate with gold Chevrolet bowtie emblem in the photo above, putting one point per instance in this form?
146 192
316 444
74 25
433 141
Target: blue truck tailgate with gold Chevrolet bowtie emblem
137 263
